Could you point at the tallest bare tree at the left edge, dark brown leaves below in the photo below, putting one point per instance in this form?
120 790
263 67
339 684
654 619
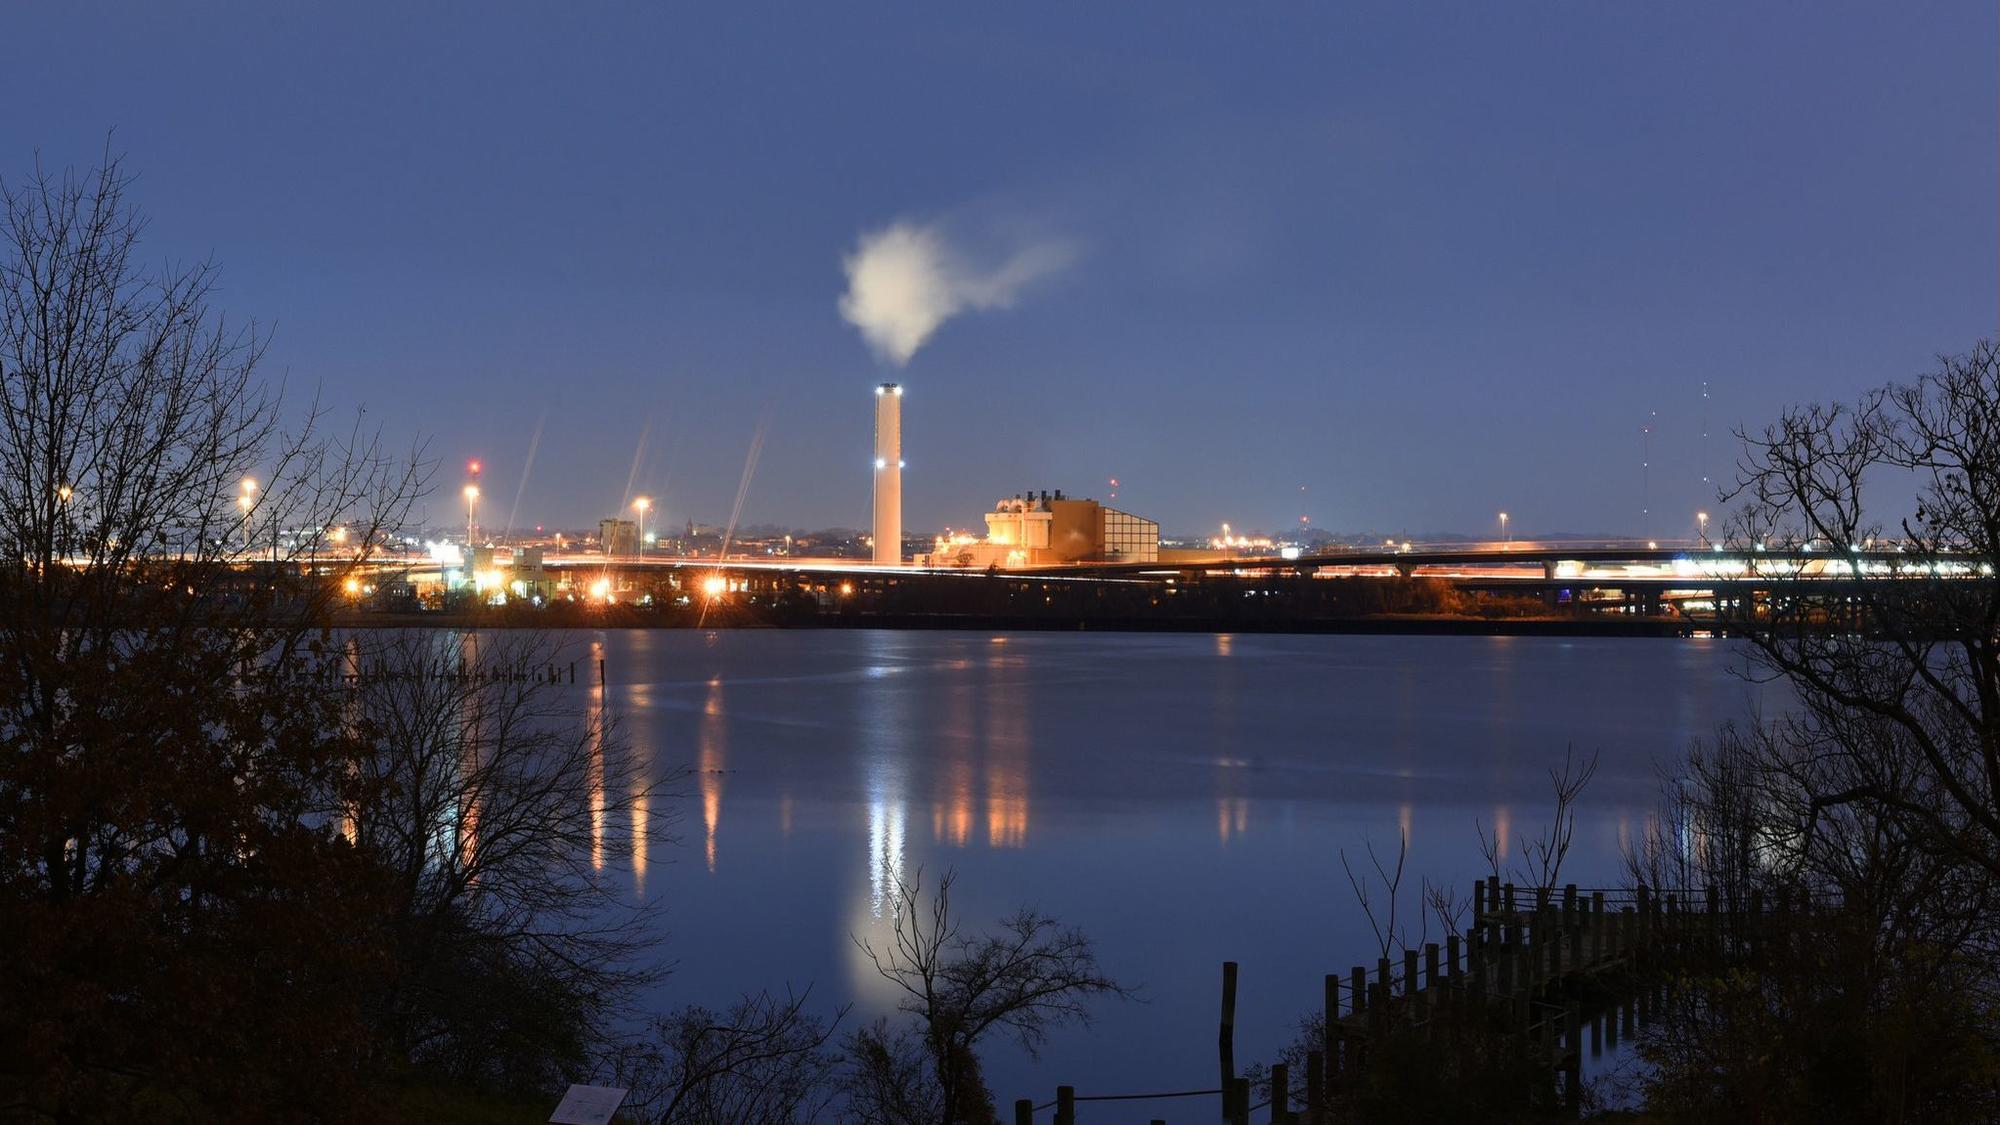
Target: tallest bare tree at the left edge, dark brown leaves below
161 770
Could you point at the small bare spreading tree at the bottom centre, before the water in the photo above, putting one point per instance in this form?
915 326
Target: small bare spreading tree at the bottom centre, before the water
1027 978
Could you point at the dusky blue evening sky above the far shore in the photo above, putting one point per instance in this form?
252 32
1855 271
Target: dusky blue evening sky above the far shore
1423 261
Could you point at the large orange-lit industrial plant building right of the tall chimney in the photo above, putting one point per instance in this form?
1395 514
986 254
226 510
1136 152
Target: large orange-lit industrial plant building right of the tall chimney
1051 529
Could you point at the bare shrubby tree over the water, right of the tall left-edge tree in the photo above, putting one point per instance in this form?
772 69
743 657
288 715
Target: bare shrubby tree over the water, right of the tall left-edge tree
497 796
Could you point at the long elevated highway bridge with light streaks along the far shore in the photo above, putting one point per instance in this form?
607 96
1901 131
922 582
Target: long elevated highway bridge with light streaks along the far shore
1647 580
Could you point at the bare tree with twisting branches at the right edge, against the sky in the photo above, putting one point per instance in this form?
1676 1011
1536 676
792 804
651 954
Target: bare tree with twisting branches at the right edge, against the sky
1909 648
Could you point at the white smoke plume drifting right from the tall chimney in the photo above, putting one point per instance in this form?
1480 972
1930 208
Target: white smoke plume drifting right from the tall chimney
907 279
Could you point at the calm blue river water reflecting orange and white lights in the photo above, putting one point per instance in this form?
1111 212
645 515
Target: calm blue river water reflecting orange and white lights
1183 800
